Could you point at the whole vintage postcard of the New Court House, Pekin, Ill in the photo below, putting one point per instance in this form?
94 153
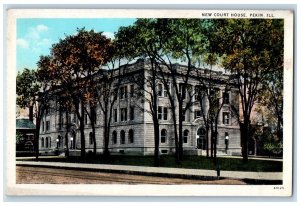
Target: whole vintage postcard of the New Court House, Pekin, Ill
149 102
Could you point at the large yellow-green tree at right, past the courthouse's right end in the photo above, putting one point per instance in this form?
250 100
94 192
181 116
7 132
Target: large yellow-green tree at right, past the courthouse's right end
247 46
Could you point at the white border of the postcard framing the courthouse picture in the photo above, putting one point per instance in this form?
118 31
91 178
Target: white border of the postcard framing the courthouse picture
143 190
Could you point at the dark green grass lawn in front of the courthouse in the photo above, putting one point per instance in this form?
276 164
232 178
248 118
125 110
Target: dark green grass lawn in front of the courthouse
192 162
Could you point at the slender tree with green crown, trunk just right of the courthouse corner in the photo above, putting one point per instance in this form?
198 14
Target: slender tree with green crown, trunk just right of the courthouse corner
139 41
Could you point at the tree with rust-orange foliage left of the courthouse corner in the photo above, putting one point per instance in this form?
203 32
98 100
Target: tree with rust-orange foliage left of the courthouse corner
74 62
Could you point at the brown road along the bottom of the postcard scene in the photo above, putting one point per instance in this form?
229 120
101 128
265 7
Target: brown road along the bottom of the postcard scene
39 175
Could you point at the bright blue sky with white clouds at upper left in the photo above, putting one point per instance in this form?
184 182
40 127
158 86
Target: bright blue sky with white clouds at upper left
35 36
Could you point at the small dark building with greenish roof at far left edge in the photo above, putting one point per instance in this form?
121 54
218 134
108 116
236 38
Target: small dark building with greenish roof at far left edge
25 135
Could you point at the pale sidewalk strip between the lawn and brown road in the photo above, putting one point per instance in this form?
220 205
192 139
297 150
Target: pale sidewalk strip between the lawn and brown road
160 171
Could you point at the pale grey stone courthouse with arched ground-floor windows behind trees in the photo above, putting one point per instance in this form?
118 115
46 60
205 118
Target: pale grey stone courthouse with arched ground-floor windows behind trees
131 131
